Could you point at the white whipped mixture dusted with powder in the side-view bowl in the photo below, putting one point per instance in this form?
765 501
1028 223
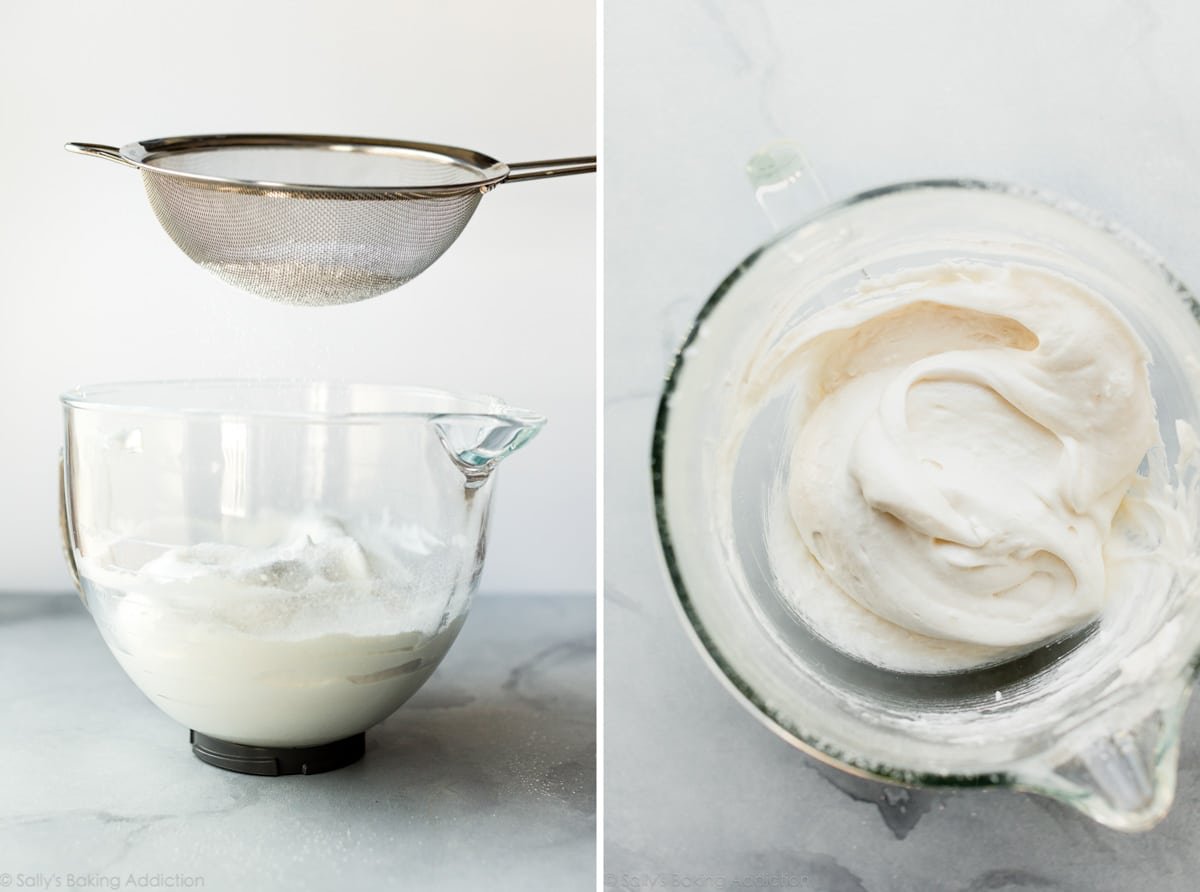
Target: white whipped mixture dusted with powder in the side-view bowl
319 631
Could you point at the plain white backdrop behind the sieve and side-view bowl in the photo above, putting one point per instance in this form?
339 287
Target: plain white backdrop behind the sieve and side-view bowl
95 291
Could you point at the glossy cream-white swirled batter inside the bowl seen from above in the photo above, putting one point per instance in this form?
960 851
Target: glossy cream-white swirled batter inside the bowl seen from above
965 435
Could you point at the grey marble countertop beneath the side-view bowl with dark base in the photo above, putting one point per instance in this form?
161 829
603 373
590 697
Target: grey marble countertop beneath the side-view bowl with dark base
484 780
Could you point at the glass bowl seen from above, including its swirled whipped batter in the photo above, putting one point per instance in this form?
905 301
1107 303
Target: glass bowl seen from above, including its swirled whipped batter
926 486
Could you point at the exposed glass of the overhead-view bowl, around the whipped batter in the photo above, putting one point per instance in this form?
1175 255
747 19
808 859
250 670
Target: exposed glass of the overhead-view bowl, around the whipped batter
1093 720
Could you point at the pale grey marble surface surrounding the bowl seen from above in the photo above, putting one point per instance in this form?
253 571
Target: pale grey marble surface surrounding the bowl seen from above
1091 100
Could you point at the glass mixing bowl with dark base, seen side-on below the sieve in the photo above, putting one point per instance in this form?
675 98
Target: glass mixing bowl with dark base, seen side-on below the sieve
279 566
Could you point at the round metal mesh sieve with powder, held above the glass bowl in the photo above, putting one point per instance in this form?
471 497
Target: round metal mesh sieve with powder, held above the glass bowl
317 220
